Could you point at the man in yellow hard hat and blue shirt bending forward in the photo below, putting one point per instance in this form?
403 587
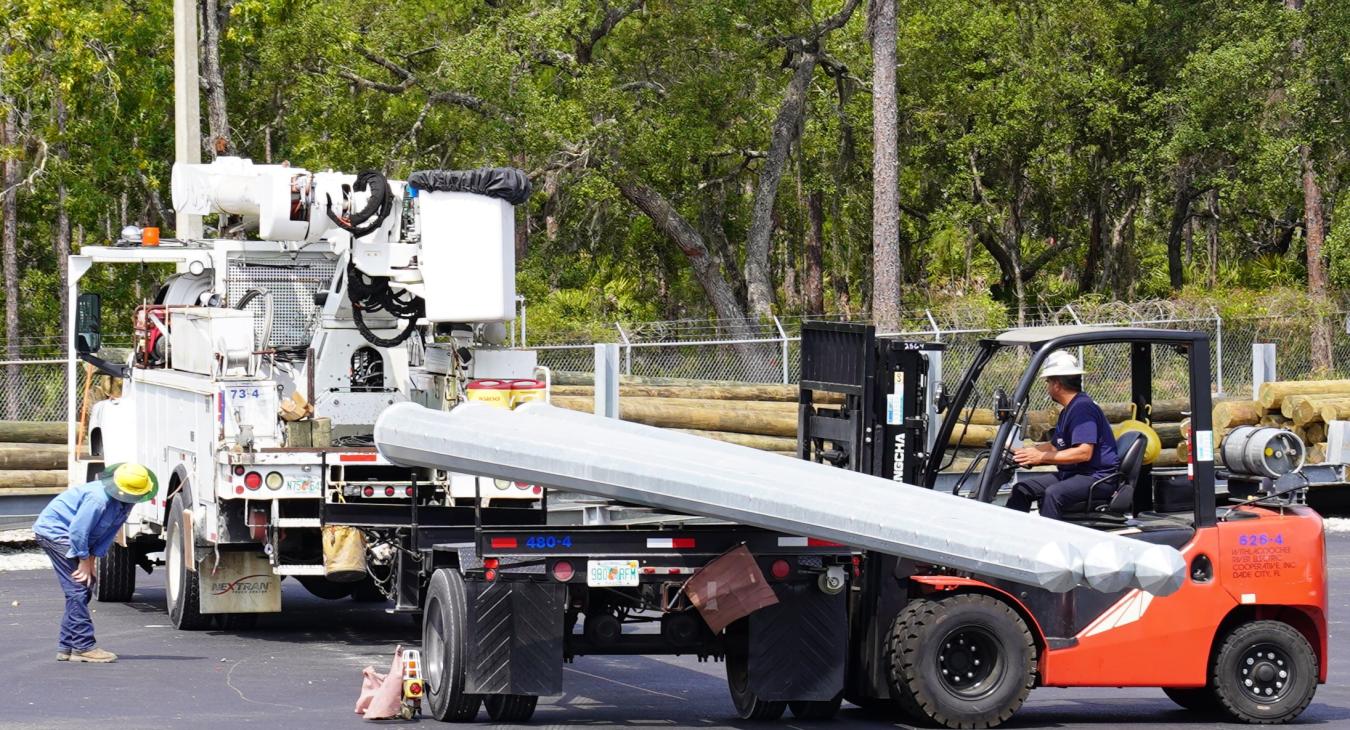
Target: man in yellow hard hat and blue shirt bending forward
78 527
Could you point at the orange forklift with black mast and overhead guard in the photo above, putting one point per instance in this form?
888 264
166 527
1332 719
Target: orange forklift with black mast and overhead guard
1247 634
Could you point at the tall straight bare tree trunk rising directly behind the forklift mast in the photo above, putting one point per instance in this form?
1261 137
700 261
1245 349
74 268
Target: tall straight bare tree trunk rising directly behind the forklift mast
886 171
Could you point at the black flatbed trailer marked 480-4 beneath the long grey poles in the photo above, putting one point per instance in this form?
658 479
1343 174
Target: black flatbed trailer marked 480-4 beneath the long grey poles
507 600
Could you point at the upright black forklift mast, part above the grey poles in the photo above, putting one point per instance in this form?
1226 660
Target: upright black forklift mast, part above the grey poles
889 392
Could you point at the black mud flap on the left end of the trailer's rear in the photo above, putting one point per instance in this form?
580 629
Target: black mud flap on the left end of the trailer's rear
515 639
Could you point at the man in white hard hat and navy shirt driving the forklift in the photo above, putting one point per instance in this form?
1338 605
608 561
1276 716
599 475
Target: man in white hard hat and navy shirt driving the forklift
1082 446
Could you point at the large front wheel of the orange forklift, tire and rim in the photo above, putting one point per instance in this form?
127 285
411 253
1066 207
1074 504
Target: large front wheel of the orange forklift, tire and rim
963 662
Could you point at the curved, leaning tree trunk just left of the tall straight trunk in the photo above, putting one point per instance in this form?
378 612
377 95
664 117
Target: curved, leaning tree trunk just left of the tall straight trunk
759 281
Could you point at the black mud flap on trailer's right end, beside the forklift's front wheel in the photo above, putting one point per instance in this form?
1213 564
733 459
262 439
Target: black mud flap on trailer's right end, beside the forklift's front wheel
797 647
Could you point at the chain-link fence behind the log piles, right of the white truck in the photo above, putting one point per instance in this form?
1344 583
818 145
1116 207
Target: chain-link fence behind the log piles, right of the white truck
769 352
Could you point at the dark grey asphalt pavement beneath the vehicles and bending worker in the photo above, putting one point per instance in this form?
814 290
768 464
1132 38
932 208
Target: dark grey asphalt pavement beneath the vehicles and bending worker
303 670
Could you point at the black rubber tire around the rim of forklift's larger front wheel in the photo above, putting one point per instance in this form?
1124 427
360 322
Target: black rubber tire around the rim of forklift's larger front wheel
907 642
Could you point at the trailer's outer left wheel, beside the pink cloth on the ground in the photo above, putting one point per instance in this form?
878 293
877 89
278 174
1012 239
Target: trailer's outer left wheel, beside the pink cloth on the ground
445 651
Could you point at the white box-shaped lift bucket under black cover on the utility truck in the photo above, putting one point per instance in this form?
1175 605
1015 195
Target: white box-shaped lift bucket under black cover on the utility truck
468 257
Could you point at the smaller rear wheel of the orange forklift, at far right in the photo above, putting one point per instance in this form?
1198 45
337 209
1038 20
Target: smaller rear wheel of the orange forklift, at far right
1264 673
